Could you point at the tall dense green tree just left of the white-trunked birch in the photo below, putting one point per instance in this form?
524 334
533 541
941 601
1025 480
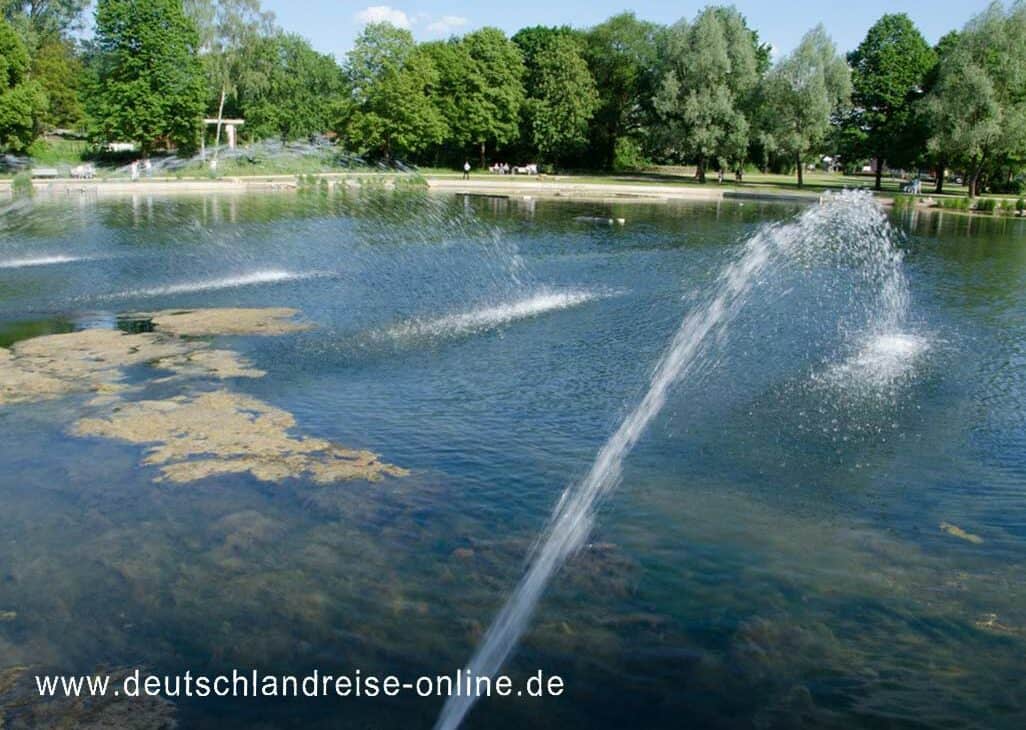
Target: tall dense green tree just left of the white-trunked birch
150 86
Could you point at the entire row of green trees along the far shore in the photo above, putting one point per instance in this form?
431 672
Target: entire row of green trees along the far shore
626 94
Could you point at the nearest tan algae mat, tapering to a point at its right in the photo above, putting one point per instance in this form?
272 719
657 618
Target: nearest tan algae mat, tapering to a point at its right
220 433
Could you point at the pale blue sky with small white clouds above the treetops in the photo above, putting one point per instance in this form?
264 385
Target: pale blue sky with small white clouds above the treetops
332 25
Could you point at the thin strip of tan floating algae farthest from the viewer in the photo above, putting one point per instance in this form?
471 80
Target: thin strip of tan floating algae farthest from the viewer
235 320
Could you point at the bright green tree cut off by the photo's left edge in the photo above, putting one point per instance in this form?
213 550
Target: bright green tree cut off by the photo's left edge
22 100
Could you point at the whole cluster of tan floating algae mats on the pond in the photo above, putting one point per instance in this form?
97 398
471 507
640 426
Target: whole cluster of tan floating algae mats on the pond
189 437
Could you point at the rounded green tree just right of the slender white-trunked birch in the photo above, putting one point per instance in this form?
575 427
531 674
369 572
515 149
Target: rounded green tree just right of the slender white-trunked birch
289 91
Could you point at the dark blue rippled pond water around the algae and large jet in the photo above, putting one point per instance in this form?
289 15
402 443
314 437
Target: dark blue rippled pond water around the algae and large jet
773 557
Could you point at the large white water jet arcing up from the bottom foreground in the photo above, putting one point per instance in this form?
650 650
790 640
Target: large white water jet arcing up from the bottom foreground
850 228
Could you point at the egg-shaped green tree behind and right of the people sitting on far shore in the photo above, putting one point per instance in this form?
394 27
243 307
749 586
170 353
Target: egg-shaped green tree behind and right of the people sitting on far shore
564 99
